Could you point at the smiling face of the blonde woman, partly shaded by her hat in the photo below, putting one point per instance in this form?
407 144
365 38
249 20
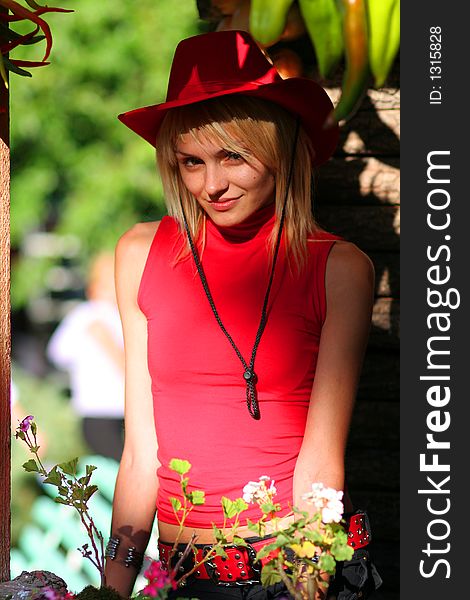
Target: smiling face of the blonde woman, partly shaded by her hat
227 187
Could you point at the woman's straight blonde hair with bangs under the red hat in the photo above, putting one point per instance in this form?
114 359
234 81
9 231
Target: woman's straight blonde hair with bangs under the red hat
270 130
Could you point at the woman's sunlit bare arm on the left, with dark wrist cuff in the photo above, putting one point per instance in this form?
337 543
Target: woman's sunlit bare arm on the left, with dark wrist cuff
135 494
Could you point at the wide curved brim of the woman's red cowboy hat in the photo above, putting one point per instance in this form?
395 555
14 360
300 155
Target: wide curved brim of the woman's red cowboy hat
300 96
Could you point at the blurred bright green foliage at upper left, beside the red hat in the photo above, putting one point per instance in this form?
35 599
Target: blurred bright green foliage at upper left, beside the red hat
77 170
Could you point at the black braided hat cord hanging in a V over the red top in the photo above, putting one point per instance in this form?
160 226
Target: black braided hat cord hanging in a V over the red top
249 374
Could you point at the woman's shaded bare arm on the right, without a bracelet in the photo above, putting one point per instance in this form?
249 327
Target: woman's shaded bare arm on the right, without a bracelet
349 282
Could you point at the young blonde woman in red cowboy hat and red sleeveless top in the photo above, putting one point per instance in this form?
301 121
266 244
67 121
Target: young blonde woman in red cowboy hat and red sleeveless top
245 324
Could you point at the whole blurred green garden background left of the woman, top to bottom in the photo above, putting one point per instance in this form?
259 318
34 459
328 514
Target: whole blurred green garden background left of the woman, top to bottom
79 180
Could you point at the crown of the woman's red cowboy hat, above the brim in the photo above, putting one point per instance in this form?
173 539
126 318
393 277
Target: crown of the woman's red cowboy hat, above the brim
213 62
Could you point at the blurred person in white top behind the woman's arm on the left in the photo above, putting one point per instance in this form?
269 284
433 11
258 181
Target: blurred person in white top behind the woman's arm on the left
88 345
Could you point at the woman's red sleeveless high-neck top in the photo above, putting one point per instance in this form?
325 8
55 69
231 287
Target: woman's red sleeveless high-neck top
198 389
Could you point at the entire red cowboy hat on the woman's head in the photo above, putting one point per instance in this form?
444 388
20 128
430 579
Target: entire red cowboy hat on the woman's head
229 62
